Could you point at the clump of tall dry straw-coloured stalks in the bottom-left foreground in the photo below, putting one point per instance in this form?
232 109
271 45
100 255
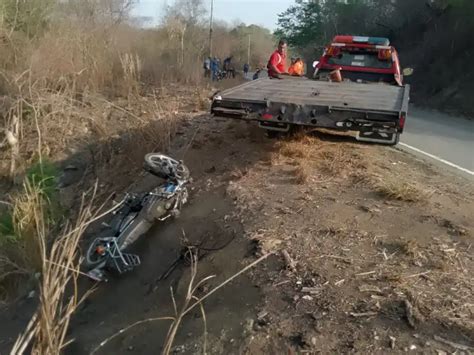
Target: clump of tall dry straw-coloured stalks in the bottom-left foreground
47 331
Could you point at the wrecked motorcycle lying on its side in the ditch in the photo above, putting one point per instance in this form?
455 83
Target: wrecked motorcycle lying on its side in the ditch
135 215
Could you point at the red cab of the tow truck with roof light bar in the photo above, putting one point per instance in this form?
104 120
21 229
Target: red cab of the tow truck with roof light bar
361 59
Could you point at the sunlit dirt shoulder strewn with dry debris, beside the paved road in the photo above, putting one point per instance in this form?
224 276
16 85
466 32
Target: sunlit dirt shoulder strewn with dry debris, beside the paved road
380 249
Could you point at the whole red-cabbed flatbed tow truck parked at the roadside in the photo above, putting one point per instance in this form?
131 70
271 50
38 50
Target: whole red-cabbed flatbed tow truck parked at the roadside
370 100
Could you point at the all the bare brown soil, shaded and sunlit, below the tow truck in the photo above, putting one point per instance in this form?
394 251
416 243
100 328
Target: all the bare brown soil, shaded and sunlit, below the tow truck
380 248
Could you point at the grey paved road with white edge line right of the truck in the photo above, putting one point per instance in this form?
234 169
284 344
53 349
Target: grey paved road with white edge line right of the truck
447 137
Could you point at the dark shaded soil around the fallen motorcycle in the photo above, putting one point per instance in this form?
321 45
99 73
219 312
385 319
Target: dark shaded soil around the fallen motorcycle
216 152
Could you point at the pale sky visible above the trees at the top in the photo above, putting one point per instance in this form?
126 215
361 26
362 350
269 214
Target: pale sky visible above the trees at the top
259 12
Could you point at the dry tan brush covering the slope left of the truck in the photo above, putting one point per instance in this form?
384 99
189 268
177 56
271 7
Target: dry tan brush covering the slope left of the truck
75 76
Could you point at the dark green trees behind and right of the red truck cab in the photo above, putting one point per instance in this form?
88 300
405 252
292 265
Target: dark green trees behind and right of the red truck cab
433 36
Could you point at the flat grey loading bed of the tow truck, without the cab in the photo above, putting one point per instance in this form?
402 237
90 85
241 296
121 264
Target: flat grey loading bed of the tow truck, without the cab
376 111
